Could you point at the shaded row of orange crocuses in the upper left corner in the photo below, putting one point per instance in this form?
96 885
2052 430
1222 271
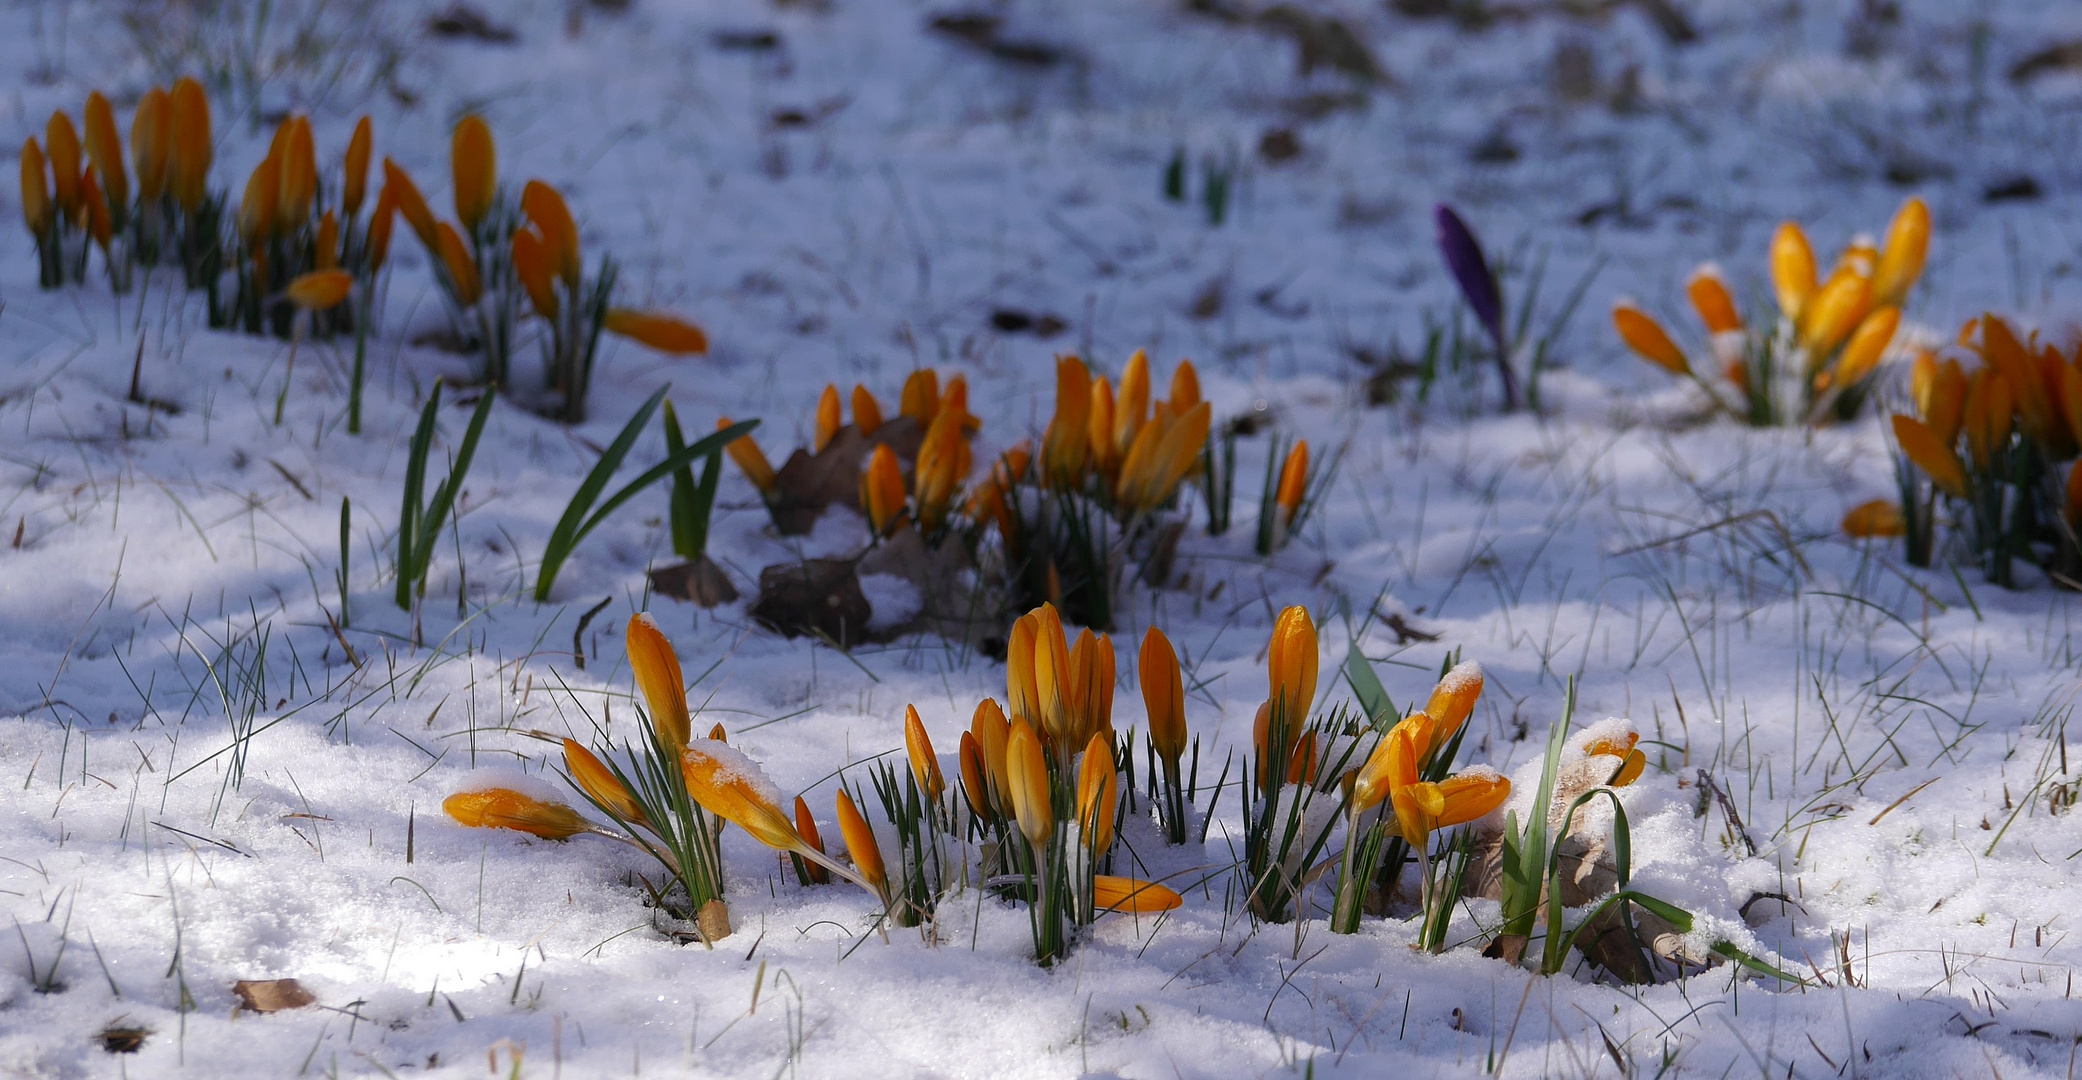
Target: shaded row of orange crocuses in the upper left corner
299 220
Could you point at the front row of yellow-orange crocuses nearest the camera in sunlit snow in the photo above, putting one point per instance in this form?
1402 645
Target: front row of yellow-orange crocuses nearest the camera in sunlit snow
1040 779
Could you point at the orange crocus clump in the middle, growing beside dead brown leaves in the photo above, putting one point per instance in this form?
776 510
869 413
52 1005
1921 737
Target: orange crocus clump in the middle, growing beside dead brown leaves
1065 523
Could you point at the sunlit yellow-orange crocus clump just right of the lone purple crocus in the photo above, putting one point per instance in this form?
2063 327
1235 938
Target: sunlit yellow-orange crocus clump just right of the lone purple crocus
1814 357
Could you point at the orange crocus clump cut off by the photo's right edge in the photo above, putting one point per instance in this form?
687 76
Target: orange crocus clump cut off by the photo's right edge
1989 434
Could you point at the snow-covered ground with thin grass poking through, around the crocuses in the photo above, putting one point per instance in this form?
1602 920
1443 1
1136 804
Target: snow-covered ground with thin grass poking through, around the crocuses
842 195
